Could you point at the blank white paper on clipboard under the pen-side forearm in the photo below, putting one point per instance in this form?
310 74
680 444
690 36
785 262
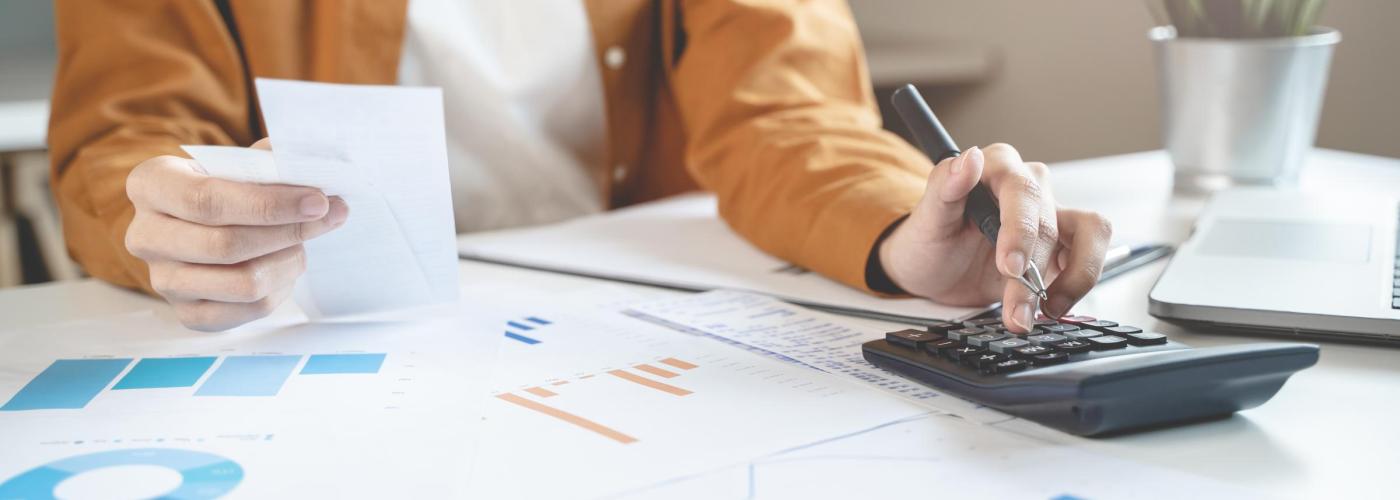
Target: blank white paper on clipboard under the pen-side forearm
681 243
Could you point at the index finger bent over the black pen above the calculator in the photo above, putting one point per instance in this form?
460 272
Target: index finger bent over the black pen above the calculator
1023 205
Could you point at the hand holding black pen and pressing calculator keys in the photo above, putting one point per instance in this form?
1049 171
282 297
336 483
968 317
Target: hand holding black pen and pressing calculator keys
937 254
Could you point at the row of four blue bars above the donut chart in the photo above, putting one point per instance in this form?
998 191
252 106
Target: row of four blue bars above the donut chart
73 384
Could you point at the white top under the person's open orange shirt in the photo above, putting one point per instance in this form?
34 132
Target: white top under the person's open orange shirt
524 106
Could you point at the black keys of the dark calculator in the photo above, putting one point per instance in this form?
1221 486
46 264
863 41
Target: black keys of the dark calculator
989 348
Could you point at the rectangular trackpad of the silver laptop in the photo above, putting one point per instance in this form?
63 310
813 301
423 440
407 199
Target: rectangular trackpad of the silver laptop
1277 240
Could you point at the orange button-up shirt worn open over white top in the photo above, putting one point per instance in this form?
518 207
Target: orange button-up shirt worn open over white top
765 103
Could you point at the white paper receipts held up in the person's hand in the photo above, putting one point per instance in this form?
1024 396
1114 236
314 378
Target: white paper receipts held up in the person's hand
384 152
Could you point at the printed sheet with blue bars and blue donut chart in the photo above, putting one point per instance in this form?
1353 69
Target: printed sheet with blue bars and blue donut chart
138 407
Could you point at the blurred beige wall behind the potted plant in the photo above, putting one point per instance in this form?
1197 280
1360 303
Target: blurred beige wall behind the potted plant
1077 79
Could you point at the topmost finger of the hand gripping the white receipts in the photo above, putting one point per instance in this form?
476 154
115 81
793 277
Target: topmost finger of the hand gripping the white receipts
174 187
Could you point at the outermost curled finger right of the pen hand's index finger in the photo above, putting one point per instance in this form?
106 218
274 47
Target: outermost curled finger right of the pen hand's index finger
1087 236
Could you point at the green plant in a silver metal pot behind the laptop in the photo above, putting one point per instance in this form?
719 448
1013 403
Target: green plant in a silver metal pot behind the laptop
1242 85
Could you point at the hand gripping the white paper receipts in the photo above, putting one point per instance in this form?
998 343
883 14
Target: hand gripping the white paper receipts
222 253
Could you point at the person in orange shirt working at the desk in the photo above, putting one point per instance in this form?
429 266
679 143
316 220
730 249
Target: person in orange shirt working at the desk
555 109
